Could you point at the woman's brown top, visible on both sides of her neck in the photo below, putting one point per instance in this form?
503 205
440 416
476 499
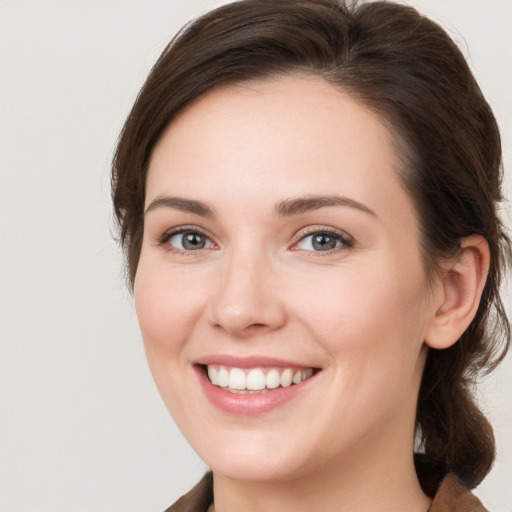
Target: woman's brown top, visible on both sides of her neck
451 496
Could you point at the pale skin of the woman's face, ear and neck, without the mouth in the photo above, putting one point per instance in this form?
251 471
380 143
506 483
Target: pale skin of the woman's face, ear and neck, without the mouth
228 169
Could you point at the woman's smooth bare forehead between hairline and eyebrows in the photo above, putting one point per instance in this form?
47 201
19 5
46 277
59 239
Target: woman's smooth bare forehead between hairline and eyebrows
288 136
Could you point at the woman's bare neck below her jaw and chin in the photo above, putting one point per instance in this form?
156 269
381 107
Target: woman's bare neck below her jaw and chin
385 480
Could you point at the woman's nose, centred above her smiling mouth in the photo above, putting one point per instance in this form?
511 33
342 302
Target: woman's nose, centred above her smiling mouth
247 301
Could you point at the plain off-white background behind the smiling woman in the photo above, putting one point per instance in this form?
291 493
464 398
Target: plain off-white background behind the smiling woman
82 427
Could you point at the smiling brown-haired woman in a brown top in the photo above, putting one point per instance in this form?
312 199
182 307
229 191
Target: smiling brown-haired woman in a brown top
307 196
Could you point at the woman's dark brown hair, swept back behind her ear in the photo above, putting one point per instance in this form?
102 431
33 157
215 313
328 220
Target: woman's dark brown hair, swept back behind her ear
406 68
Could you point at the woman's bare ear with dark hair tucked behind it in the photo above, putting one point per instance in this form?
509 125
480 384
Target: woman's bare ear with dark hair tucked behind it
459 292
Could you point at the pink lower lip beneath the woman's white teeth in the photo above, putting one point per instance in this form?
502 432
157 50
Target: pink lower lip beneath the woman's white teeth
249 404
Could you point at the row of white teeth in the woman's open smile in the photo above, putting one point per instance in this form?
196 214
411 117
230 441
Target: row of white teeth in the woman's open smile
255 380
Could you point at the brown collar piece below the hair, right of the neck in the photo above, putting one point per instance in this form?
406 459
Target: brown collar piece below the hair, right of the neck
453 496
